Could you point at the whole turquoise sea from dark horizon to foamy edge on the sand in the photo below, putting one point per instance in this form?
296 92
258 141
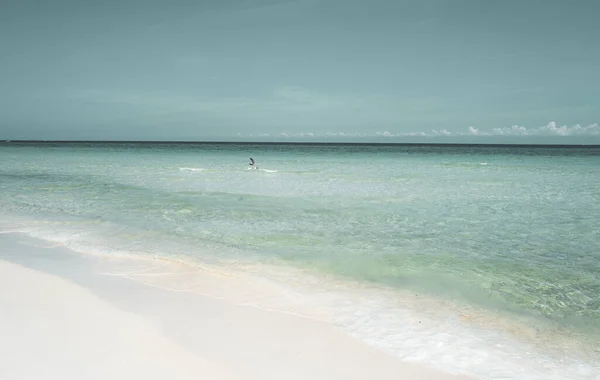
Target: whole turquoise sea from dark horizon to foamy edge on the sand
479 259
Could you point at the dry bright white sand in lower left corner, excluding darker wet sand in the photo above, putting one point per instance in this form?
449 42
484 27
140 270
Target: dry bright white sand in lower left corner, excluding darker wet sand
53 329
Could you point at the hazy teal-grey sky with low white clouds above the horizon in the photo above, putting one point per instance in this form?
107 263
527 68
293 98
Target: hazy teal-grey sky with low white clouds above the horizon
302 70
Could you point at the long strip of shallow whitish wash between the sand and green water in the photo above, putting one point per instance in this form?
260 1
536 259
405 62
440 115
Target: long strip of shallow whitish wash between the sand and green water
412 328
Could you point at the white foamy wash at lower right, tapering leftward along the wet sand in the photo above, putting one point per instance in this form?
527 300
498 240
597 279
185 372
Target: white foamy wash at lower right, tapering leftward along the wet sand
434 332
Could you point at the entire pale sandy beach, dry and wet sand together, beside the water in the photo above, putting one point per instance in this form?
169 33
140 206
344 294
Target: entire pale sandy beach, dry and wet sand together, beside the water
87 325
